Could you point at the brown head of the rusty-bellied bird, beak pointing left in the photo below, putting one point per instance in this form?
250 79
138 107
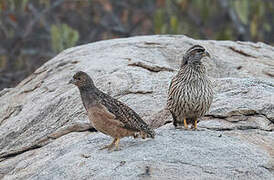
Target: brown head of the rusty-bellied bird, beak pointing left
81 80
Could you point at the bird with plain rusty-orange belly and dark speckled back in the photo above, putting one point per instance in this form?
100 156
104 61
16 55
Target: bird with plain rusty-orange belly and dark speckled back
108 115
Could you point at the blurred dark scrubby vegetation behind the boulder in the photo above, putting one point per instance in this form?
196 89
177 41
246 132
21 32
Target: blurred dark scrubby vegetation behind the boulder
34 31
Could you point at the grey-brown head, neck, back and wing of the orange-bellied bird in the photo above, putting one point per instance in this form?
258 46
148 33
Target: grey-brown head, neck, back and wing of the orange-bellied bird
92 96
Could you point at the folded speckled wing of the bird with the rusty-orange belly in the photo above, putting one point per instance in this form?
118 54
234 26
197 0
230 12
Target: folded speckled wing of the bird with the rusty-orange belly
123 113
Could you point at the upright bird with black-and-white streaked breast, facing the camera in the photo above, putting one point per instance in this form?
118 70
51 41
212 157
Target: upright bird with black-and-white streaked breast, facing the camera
190 92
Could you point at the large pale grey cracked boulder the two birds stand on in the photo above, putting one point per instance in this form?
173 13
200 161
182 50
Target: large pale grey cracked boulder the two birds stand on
44 128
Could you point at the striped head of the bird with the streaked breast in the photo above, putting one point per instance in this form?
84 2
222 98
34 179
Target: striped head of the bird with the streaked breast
194 55
